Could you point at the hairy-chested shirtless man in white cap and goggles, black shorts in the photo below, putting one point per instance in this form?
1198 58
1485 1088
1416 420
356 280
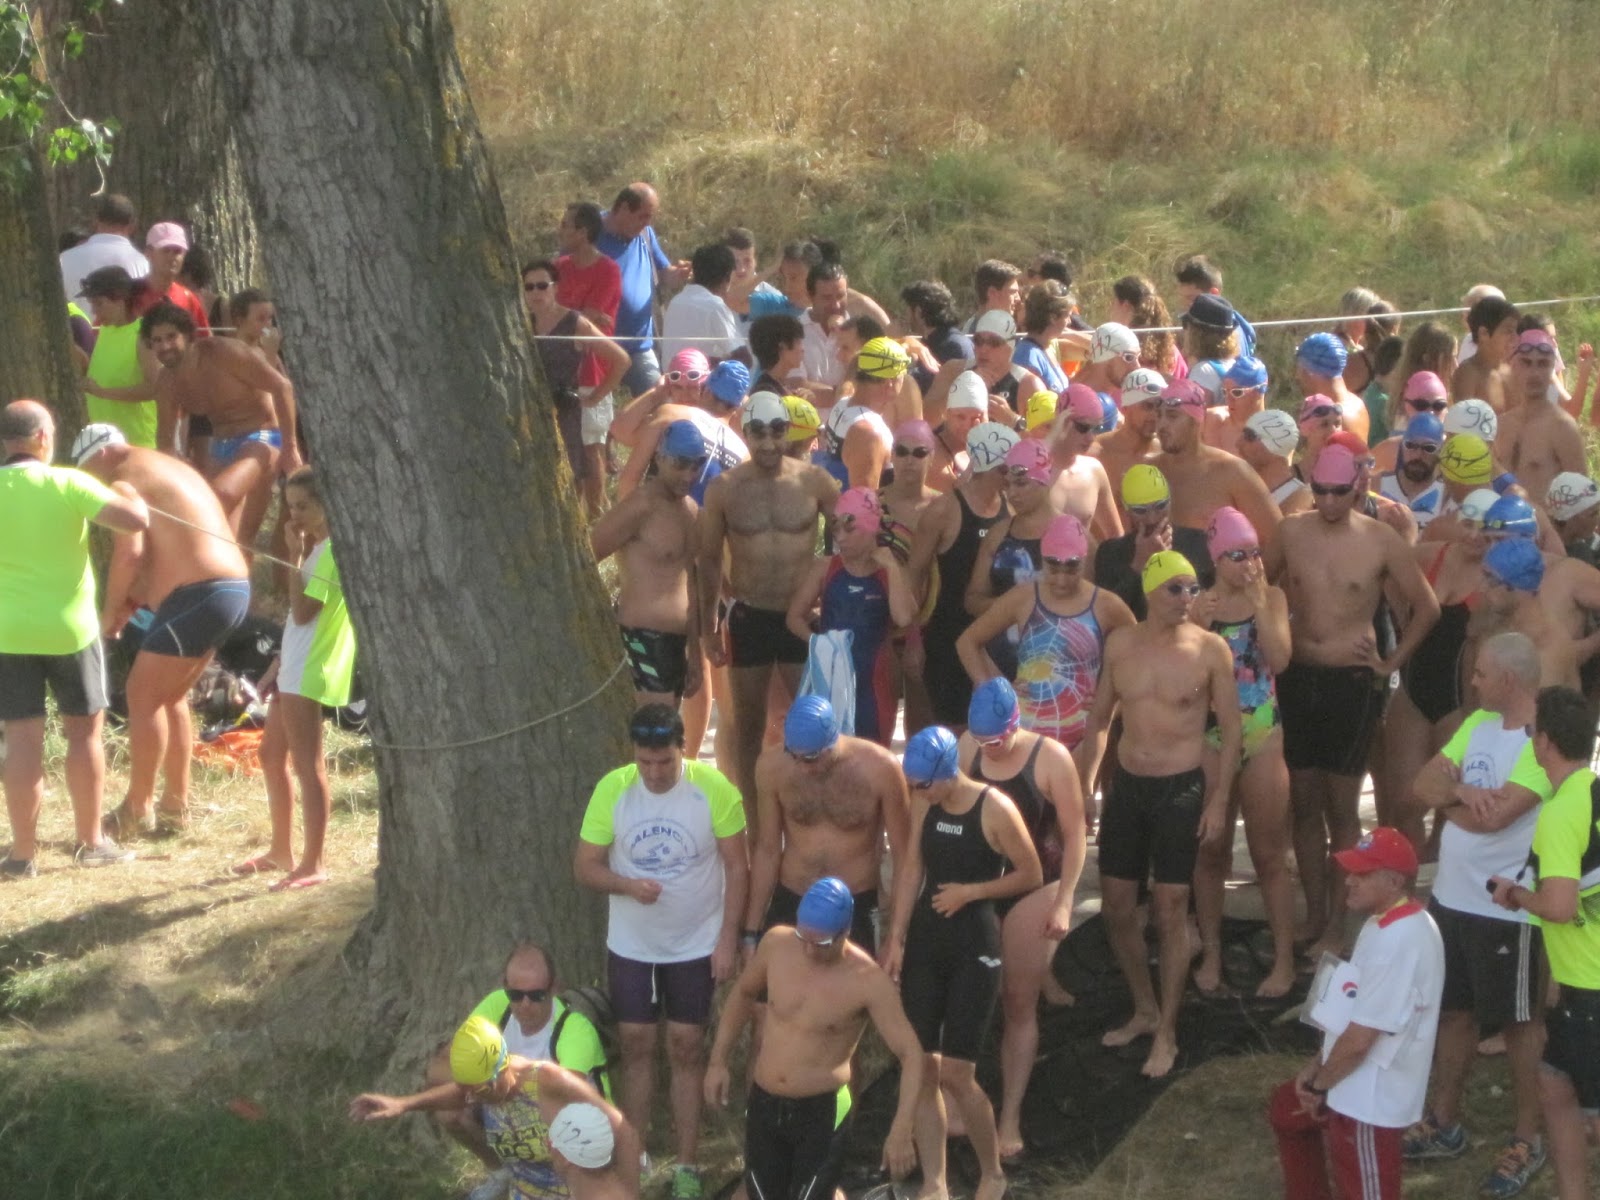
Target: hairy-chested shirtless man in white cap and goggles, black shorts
764 516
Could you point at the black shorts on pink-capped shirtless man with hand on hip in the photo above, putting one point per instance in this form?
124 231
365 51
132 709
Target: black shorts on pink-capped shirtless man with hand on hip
1330 716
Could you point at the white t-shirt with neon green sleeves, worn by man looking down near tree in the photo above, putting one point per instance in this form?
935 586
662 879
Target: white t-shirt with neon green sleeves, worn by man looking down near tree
670 838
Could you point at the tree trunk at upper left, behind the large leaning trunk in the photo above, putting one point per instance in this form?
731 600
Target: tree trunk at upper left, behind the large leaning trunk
151 66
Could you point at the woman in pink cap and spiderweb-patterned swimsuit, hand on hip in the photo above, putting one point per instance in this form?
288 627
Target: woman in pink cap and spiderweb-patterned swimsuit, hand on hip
1062 623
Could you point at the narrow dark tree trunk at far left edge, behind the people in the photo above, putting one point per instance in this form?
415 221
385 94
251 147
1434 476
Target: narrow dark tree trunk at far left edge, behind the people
38 356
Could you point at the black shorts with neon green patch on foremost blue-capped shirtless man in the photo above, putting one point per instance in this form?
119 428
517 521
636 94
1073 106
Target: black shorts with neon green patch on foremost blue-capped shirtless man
794 1150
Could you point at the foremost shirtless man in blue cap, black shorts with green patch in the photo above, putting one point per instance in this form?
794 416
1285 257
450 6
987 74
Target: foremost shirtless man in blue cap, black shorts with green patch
820 991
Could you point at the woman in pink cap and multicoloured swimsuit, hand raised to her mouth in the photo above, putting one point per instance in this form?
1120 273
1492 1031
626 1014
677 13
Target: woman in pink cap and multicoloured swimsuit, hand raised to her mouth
1254 618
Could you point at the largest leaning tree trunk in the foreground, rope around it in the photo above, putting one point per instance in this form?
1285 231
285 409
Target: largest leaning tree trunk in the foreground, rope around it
476 601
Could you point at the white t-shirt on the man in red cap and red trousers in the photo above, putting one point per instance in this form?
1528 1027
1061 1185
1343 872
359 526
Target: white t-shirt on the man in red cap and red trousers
1401 962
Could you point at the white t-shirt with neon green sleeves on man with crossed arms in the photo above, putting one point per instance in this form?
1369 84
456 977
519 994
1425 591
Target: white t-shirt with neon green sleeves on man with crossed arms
1489 756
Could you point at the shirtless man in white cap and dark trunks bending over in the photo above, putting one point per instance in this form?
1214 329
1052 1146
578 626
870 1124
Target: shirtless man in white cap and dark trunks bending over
198 583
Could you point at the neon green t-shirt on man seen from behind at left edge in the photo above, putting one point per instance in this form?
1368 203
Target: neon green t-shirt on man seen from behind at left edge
47 588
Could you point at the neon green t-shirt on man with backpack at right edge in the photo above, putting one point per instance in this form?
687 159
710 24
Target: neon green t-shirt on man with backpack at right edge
1567 846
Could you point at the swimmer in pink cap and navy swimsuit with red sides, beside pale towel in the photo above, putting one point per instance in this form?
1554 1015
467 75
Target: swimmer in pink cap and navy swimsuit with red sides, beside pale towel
866 591
